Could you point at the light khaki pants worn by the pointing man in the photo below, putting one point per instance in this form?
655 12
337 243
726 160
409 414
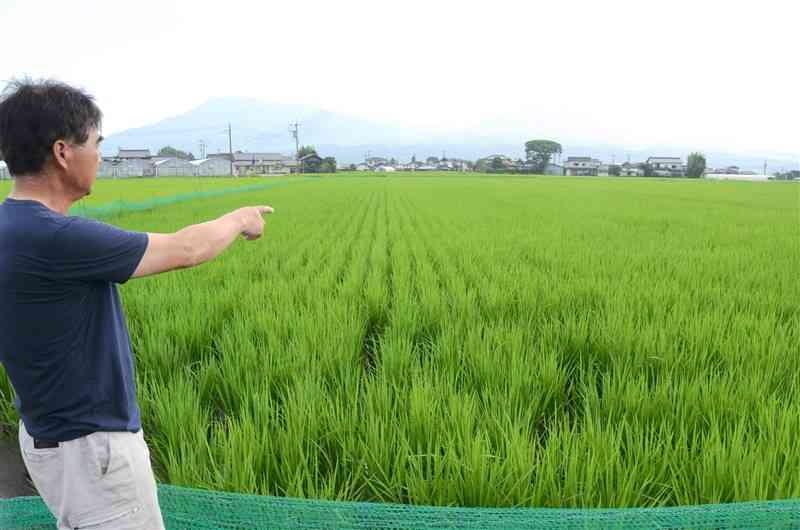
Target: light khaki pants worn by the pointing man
100 481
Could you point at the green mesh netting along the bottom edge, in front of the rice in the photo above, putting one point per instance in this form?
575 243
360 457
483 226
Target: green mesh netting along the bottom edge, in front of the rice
190 509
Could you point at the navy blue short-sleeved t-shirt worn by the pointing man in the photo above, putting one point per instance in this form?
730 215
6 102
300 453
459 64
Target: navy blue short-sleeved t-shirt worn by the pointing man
63 338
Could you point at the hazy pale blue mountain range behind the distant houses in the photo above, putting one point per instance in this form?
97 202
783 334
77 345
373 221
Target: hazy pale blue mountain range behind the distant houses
260 126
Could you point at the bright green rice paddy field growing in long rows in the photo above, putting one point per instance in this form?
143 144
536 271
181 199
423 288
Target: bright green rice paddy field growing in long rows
477 341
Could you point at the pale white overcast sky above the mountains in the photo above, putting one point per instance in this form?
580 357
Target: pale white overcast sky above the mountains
707 74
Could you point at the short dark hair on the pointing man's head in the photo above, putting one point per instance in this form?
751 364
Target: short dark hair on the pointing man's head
34 114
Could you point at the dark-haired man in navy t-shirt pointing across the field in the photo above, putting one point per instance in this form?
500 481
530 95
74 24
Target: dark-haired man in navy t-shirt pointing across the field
63 338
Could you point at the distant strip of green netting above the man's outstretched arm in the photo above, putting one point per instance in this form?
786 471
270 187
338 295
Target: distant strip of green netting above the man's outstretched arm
122 206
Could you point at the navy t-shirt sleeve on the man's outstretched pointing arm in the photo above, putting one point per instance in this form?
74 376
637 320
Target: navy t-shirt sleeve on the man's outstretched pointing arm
84 249
